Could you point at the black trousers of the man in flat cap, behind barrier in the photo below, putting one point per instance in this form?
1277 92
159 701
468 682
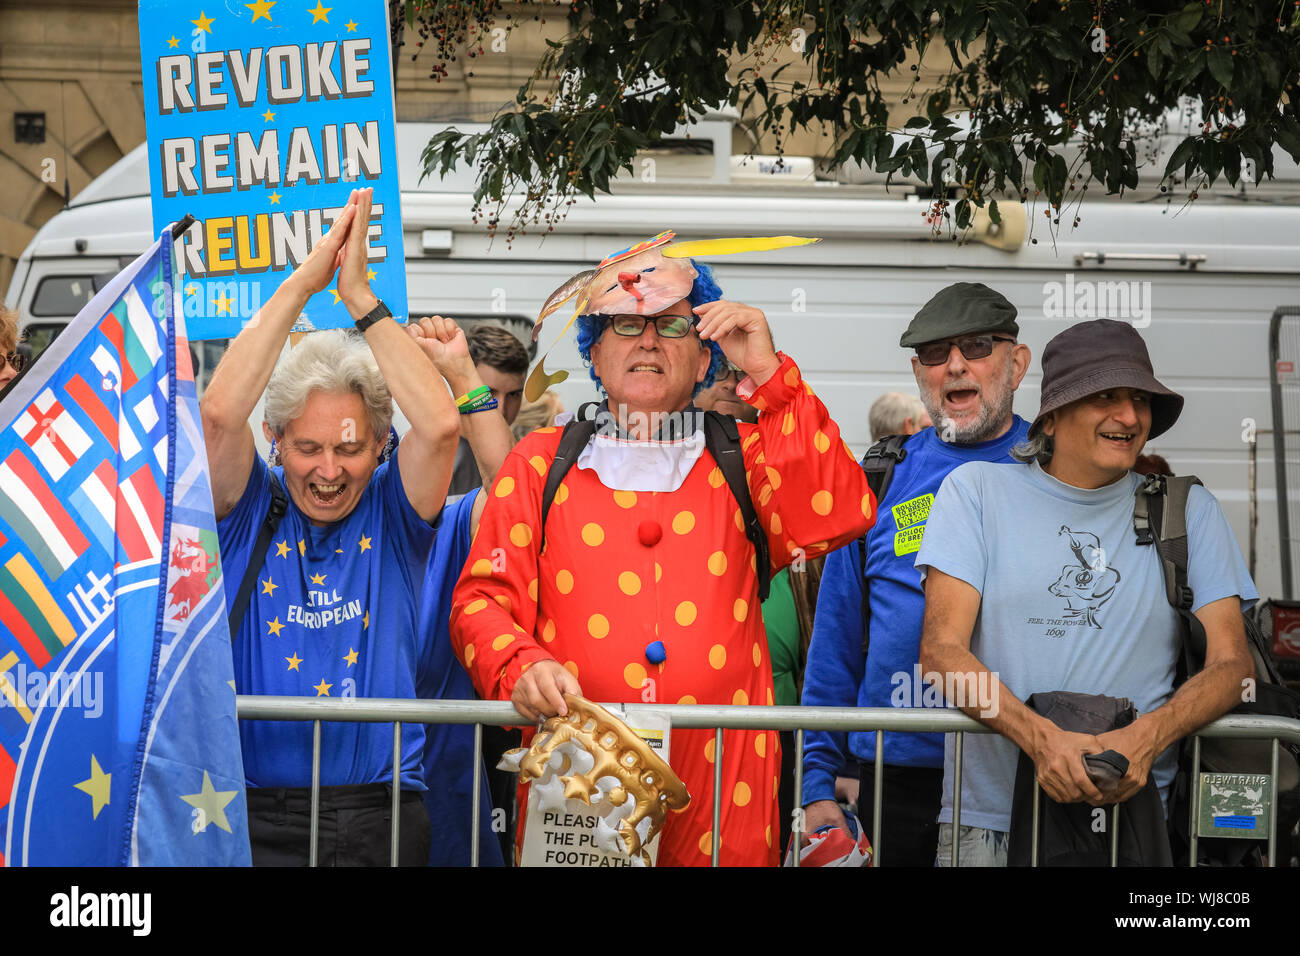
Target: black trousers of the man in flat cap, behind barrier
909 821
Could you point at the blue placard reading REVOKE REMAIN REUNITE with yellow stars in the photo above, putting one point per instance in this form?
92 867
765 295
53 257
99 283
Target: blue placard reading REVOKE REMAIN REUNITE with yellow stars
262 119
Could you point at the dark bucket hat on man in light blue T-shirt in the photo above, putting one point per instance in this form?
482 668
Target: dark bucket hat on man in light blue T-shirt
1098 356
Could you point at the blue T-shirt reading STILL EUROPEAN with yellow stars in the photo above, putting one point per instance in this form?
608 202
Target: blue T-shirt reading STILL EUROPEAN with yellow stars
333 615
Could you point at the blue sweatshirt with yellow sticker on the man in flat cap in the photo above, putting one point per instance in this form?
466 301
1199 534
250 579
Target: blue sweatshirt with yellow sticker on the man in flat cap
837 673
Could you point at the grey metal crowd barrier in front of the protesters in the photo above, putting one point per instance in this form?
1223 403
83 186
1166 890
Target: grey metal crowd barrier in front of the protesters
727 717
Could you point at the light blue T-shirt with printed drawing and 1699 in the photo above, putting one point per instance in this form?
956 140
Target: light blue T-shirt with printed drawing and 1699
1069 602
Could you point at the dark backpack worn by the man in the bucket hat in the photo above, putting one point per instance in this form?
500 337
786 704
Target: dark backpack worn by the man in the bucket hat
1160 520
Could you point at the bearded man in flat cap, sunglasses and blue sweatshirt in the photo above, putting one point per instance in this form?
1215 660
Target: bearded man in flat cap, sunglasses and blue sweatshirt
968 366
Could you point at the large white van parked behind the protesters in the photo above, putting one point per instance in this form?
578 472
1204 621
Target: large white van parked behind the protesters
1202 284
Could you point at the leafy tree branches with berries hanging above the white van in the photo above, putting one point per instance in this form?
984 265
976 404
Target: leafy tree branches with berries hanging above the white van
1034 84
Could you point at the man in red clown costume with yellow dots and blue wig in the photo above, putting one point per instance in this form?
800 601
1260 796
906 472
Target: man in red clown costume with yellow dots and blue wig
643 585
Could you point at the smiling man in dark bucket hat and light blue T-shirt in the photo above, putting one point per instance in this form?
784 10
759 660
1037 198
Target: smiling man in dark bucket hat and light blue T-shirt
1035 583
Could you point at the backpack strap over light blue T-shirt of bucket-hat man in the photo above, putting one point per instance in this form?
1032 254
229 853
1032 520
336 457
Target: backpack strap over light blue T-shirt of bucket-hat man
1160 518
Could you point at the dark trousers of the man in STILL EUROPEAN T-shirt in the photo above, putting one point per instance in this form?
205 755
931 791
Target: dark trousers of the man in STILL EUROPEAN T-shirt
356 827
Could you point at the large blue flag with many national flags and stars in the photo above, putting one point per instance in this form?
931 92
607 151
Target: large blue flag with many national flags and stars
119 743
